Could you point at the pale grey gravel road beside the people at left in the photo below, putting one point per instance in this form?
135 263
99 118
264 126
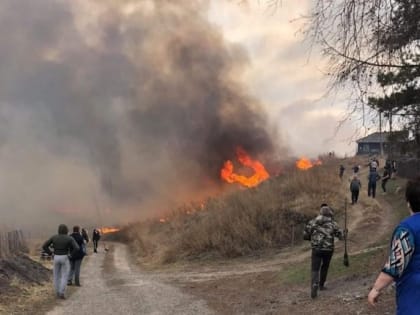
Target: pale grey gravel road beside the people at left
112 285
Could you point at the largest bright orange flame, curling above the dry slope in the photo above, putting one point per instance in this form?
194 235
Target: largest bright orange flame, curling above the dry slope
260 173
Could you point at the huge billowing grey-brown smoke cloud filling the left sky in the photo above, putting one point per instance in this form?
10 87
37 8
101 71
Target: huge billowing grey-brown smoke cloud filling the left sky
112 106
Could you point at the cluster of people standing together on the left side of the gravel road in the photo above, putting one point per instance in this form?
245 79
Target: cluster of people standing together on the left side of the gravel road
68 251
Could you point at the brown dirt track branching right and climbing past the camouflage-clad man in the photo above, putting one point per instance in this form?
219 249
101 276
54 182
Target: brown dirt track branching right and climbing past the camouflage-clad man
250 285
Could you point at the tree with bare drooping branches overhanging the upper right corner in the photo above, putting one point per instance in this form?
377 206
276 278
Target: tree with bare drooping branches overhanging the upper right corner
374 46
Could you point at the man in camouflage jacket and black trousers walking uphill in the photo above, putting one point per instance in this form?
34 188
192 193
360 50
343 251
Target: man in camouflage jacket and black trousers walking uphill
321 232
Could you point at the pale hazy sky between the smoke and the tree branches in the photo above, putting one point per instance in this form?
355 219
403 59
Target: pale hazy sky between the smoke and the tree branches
286 75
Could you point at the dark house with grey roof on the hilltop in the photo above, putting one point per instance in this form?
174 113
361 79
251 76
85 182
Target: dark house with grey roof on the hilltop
371 144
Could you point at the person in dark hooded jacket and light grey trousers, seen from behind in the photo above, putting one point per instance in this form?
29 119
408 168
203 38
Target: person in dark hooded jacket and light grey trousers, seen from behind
63 245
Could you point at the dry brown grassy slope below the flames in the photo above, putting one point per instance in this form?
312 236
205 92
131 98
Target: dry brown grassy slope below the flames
239 223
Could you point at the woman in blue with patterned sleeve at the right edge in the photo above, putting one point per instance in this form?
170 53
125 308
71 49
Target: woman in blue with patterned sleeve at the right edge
402 266
